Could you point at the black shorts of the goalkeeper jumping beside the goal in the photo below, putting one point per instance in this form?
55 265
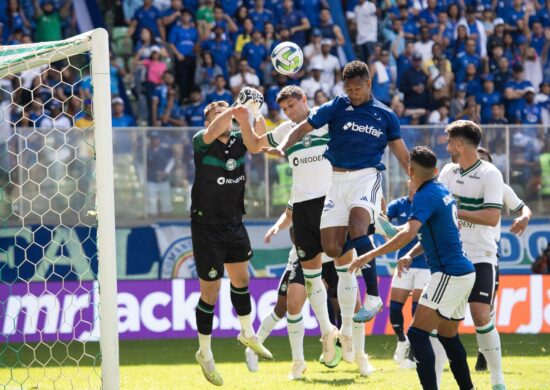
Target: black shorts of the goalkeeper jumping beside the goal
215 245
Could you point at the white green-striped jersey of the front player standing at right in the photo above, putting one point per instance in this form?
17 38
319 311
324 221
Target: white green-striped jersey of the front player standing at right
476 188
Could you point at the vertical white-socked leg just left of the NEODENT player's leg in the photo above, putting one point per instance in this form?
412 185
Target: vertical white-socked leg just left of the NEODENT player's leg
296 297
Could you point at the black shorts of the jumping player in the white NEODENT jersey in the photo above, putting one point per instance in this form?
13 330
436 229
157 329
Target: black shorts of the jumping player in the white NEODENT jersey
306 219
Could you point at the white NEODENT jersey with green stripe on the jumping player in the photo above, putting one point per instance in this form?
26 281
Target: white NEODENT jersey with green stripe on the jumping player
311 172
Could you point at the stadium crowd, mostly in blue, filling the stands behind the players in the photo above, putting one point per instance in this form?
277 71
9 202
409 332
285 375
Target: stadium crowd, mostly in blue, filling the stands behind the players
431 62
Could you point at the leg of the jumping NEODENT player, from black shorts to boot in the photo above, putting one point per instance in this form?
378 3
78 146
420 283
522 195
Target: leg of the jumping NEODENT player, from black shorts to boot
306 219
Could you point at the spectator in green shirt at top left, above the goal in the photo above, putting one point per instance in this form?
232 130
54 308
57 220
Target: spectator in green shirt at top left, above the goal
49 21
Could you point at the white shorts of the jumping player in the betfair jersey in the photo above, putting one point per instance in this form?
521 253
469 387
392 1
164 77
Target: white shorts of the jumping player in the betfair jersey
362 188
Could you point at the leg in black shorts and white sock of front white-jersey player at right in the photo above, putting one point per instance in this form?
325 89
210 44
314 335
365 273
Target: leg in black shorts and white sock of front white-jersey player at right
487 335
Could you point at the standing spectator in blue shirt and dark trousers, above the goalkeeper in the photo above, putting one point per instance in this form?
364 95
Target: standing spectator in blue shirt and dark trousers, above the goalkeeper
183 39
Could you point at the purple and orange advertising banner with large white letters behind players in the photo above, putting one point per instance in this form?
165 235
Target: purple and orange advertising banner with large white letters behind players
166 309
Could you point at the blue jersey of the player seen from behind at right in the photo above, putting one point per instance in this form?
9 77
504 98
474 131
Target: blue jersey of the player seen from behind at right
435 208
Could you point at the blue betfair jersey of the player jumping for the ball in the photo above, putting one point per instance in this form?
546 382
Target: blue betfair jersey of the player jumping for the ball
358 134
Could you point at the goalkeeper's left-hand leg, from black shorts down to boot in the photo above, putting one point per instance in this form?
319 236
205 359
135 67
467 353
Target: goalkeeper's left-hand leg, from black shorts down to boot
209 262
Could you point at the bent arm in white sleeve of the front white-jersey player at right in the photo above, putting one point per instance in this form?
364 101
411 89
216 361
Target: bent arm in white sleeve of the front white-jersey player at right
489 215
